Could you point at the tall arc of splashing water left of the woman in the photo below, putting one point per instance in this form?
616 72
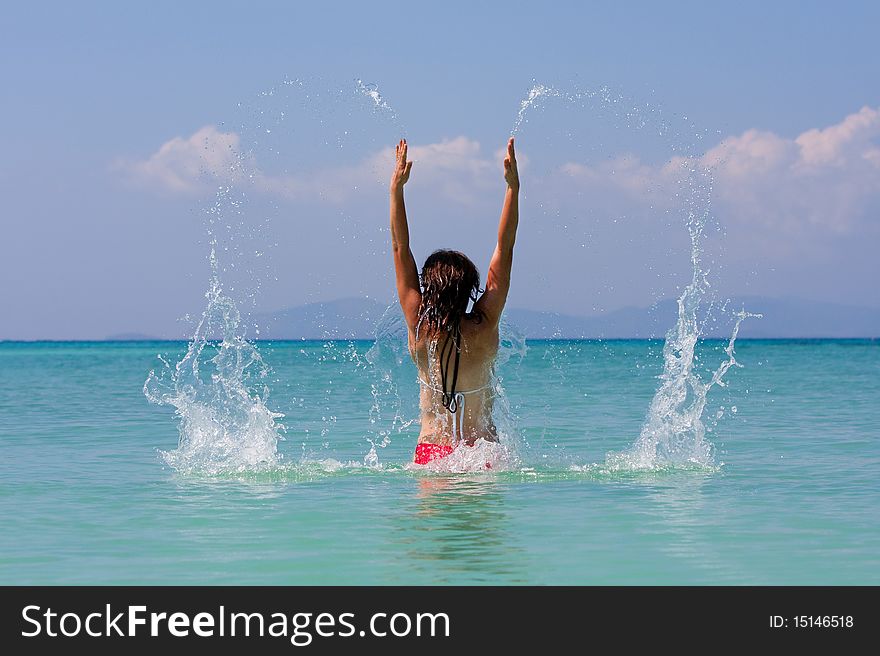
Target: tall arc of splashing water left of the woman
220 388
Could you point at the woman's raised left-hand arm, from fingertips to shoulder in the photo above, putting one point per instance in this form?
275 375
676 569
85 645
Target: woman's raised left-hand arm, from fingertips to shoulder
408 290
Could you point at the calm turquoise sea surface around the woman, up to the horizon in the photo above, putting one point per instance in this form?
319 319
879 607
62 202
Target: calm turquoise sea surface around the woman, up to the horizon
790 493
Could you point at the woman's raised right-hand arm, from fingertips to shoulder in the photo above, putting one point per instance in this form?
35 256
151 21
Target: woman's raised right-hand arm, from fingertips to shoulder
491 303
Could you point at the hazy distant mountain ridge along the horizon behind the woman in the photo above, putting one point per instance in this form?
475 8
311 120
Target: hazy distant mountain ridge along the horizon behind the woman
353 318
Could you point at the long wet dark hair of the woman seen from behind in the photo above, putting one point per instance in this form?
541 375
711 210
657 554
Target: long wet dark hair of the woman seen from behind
450 281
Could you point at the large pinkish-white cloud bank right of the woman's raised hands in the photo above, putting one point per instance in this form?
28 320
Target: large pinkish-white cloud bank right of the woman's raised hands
824 179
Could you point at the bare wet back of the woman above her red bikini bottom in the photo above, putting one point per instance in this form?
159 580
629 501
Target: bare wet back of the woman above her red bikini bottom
472 418
